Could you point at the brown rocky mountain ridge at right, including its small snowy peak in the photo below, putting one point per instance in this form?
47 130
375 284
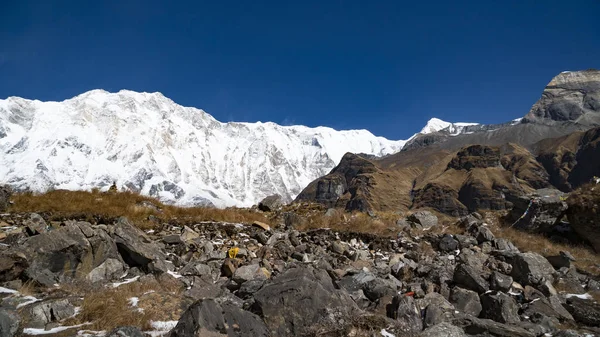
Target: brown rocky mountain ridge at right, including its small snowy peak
460 168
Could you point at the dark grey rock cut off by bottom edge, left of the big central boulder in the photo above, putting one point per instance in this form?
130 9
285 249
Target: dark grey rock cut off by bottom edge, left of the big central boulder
209 318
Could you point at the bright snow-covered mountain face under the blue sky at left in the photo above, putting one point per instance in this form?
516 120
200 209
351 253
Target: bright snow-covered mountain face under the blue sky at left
147 143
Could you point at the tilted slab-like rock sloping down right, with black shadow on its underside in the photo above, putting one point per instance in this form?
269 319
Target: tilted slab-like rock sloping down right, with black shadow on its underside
137 249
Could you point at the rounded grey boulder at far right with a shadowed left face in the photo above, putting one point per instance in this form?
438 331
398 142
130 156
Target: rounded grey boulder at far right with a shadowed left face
531 269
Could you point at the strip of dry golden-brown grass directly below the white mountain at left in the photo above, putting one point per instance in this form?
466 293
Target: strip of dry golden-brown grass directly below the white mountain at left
91 206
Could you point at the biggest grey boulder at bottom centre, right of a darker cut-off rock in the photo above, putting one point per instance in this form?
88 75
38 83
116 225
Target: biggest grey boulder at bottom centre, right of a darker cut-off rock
300 298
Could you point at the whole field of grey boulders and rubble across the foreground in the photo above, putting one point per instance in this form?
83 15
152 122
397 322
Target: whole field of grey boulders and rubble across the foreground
211 279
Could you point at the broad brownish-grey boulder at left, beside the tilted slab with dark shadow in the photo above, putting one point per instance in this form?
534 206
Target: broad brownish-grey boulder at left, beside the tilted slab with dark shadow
68 252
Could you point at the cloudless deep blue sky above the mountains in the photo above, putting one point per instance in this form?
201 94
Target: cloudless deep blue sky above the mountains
385 66
